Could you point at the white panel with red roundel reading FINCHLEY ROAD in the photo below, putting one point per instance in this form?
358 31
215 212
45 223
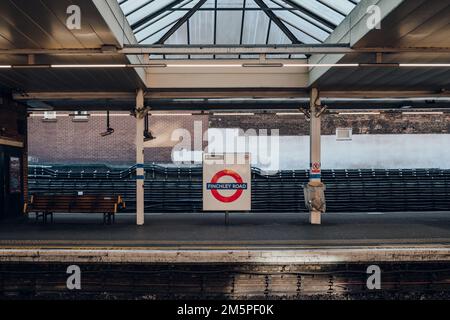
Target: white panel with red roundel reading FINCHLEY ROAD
227 182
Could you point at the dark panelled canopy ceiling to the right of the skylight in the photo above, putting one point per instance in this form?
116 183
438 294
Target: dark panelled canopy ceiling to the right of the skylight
421 23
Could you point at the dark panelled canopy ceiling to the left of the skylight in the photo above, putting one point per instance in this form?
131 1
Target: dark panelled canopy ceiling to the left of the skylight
42 24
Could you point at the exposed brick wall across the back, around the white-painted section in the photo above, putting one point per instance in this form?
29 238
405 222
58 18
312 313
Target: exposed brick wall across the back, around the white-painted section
66 141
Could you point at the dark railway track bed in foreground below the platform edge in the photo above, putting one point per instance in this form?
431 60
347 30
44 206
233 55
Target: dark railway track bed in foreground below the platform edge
232 281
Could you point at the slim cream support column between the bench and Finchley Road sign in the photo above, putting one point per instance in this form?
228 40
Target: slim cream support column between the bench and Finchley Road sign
140 174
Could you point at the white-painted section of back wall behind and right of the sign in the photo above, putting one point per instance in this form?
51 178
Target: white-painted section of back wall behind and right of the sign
403 151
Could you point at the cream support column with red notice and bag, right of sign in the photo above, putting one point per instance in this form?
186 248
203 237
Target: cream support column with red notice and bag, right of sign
315 182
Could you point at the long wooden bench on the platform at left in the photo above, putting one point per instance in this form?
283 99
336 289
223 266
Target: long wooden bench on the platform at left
46 205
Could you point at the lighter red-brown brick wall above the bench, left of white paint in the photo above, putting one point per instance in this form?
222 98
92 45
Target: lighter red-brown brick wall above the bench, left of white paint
66 141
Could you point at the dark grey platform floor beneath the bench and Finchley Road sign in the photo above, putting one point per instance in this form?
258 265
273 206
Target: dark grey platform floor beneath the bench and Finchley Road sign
207 231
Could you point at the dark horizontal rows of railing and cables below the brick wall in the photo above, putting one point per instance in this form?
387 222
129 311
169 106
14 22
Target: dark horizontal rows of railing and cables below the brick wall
175 189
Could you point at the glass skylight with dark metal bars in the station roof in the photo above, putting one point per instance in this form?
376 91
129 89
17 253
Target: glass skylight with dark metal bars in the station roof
234 22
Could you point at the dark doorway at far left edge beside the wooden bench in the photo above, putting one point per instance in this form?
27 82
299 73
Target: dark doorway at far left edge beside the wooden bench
11 182
